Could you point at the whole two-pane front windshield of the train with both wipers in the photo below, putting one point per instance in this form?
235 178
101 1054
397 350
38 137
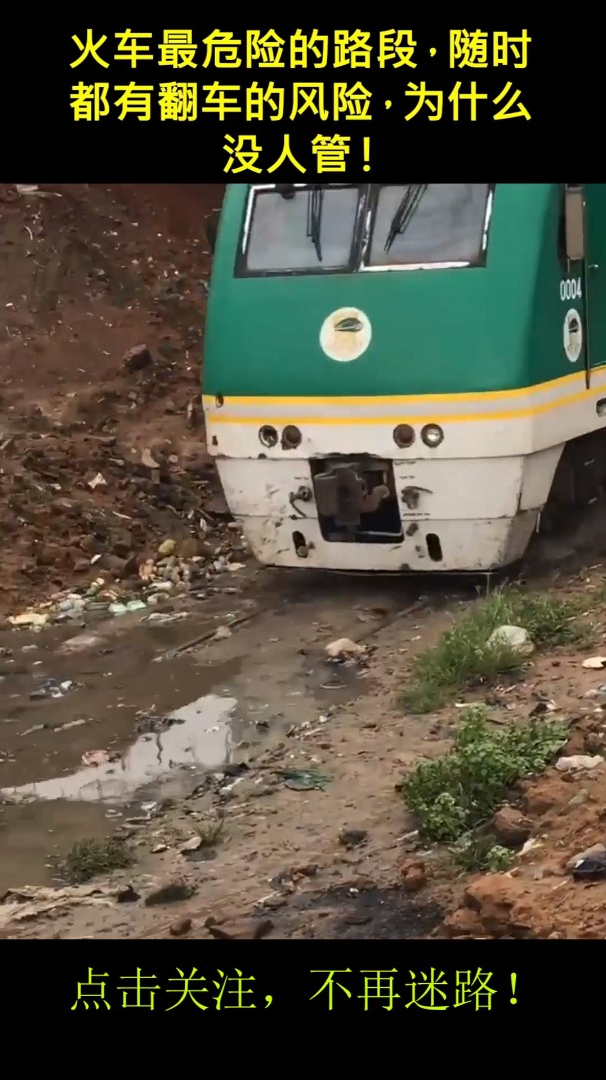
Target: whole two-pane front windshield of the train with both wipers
312 229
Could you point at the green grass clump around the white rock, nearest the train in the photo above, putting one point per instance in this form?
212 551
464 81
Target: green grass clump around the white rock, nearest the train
463 658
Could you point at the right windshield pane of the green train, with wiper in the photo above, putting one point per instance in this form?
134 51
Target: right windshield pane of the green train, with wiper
419 225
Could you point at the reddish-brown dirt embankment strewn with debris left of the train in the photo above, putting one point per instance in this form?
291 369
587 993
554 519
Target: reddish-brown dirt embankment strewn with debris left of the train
87 274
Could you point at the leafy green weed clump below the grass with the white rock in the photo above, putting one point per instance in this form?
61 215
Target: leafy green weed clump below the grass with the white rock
455 795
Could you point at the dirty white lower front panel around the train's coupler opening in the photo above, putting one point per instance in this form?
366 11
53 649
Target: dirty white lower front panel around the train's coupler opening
482 511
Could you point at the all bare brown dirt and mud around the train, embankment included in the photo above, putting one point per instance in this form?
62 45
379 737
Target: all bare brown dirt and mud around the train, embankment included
182 698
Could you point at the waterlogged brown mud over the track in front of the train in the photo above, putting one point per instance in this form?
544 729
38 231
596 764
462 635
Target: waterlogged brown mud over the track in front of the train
103 726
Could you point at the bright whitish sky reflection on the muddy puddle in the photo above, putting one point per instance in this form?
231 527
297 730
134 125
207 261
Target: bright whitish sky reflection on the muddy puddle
198 739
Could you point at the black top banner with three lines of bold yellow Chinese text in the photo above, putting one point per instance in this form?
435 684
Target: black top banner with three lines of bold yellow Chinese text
97 98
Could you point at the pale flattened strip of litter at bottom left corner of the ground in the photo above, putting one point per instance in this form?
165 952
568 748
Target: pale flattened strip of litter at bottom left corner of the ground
31 902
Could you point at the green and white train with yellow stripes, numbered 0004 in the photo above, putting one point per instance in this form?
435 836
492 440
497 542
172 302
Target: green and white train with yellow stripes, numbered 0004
407 377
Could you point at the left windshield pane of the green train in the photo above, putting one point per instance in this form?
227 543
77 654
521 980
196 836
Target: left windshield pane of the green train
294 229
